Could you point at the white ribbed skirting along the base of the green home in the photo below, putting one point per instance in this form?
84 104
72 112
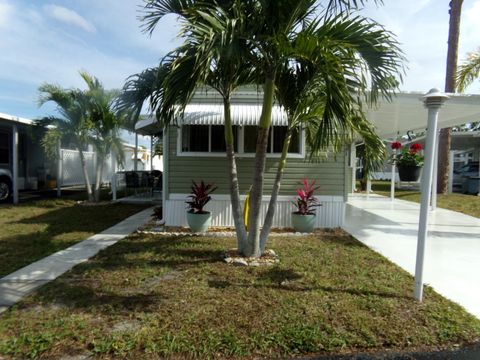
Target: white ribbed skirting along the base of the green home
330 215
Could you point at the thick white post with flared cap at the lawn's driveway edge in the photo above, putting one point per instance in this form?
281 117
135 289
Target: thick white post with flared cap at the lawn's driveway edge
433 100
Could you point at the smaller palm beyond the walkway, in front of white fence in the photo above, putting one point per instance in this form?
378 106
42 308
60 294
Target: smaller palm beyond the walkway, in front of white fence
87 117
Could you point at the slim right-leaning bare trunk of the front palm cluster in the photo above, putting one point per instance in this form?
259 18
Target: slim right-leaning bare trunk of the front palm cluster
267 224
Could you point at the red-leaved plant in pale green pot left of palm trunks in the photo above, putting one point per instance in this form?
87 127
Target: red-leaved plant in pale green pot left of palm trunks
198 219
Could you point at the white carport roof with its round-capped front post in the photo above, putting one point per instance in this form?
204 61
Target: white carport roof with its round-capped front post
405 113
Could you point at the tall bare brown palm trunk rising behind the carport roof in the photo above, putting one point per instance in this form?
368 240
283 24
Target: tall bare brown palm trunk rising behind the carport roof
445 139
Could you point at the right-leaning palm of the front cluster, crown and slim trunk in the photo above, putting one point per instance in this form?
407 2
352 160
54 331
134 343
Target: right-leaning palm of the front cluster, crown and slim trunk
303 90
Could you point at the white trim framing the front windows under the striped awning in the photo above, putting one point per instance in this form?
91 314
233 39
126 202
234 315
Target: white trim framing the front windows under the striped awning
240 153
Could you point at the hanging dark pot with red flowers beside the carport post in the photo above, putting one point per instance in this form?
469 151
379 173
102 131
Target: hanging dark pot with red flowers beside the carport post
409 160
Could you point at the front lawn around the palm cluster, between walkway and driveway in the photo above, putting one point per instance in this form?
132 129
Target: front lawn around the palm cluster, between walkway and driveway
151 296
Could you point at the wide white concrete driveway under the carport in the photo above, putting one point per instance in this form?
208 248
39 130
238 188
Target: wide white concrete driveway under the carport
452 253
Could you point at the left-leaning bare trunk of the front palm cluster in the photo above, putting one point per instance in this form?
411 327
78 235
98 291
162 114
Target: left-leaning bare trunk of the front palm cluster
233 177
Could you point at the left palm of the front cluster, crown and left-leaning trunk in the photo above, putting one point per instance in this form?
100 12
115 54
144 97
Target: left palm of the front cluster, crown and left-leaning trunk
203 59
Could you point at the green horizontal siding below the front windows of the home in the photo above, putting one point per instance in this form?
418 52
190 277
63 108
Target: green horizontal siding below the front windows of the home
329 173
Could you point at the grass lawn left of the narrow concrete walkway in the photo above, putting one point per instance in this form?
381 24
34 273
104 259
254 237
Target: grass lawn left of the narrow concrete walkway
34 230
